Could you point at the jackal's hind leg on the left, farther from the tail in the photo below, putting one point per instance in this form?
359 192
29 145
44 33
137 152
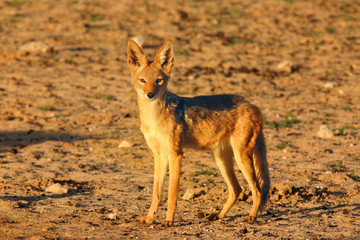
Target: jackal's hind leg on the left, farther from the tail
224 160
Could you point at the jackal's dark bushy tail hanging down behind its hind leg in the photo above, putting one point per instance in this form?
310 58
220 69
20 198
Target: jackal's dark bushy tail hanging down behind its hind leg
261 170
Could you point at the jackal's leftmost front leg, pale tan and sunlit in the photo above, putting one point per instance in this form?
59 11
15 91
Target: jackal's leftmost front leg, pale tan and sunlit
160 169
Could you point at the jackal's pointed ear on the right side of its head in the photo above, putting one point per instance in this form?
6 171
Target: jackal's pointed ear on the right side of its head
165 57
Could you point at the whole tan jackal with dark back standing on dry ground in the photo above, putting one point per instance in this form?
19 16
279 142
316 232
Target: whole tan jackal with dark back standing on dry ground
225 124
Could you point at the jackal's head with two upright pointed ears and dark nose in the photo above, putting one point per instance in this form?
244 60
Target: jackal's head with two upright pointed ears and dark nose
150 78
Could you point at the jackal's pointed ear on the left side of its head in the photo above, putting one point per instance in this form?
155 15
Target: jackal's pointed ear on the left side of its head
136 57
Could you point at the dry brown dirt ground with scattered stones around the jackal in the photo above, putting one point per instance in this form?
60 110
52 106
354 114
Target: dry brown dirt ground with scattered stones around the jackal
68 116
